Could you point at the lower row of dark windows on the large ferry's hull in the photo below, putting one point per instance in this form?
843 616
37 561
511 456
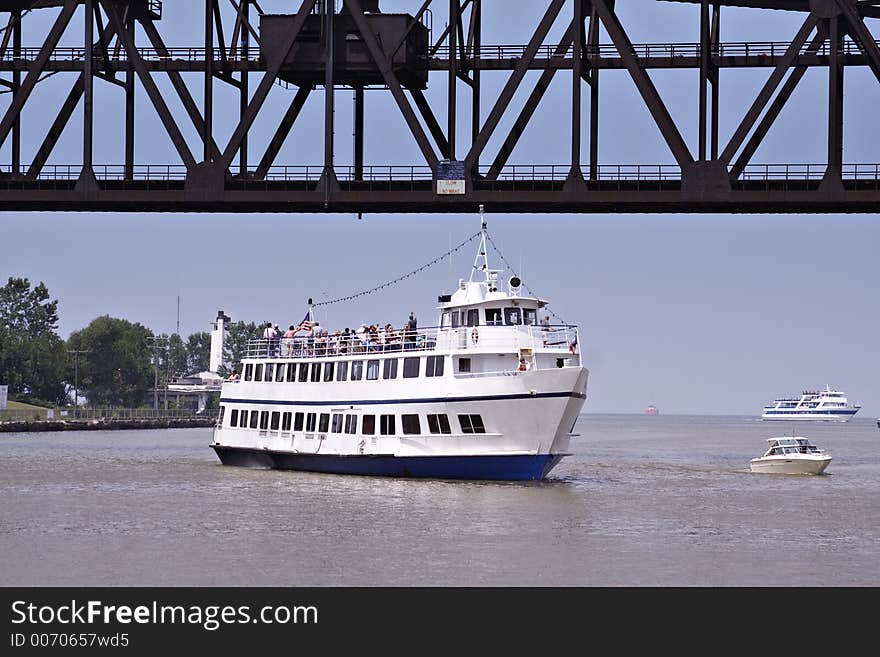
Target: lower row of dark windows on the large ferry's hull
438 423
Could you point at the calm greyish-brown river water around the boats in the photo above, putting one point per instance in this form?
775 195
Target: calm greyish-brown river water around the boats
644 501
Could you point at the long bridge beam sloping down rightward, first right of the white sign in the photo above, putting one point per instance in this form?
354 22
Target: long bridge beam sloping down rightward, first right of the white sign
643 83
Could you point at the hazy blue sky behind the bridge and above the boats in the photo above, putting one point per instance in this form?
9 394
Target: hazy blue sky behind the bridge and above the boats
694 313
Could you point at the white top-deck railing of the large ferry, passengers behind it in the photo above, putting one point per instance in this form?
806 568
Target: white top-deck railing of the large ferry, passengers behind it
557 337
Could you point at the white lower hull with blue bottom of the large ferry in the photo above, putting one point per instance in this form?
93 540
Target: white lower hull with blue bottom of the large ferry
526 431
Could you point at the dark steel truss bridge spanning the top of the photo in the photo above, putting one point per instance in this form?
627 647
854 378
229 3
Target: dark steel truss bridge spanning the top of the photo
361 48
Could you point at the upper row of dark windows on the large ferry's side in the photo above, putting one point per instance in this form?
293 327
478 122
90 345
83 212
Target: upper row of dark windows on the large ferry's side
354 370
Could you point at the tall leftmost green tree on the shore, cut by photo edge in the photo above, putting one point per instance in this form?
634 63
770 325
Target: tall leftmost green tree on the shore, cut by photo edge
32 355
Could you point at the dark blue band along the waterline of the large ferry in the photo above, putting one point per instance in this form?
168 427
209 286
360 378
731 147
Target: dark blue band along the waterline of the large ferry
530 467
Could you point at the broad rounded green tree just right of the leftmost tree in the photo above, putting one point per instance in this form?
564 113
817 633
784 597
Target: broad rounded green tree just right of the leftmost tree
117 369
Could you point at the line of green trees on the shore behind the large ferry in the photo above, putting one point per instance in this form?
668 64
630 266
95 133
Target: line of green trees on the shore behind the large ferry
110 362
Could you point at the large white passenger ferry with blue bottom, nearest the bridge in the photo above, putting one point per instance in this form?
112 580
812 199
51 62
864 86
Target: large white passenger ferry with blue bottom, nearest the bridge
492 392
